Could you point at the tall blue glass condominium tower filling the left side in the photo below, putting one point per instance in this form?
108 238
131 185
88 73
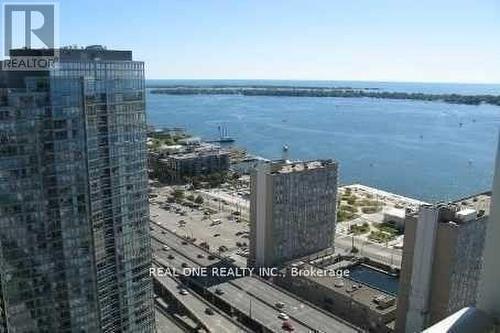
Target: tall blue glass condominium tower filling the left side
74 235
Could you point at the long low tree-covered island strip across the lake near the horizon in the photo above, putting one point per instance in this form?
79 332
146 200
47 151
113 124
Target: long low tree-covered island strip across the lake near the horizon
287 91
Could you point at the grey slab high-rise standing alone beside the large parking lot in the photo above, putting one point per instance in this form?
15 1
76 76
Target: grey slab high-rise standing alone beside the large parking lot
292 210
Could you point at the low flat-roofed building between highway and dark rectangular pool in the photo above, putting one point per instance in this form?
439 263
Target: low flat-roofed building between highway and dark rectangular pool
328 287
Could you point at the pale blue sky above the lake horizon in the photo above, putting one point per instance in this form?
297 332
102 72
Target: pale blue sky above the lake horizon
388 40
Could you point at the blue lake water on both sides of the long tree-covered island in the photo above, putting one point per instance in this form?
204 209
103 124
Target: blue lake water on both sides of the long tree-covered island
427 150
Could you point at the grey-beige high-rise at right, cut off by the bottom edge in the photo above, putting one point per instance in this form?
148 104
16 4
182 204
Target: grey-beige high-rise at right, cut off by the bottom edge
441 263
